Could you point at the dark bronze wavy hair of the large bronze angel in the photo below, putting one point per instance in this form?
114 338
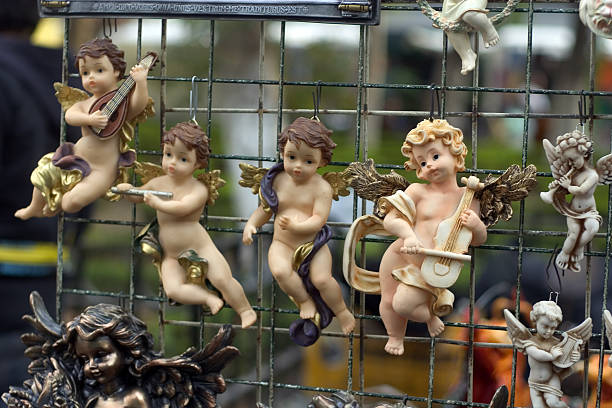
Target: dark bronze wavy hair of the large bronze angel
126 331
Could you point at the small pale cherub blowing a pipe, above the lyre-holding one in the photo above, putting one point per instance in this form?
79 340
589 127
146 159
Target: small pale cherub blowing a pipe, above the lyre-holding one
573 174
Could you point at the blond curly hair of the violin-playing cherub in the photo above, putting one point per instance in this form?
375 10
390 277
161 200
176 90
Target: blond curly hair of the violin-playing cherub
428 131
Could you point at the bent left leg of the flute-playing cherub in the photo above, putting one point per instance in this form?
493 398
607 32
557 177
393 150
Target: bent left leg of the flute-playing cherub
176 287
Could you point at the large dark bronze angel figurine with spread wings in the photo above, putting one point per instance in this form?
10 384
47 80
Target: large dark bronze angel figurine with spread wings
104 357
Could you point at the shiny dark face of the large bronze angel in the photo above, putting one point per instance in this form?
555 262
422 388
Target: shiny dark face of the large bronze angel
102 360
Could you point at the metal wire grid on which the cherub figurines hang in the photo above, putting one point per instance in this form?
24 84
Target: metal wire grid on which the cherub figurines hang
265 381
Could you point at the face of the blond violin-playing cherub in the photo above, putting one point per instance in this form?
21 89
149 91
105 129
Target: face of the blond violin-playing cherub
436 163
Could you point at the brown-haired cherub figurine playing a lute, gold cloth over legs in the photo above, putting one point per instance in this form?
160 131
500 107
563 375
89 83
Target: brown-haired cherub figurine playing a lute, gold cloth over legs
78 174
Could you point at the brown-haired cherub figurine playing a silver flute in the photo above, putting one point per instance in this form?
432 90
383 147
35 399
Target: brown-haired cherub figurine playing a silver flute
184 248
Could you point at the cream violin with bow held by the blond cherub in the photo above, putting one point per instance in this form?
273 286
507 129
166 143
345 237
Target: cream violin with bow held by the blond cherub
441 267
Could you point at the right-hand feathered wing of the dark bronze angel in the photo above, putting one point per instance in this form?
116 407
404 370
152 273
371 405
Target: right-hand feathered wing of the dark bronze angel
192 379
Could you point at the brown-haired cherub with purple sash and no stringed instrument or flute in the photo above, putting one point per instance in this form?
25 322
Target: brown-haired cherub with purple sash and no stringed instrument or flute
299 258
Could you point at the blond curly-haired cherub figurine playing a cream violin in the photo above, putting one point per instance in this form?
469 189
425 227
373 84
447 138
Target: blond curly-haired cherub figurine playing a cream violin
435 223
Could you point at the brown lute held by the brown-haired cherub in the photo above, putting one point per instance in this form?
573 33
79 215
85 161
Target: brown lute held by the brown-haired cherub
114 104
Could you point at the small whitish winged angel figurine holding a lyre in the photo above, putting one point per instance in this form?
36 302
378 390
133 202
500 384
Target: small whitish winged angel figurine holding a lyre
550 359
